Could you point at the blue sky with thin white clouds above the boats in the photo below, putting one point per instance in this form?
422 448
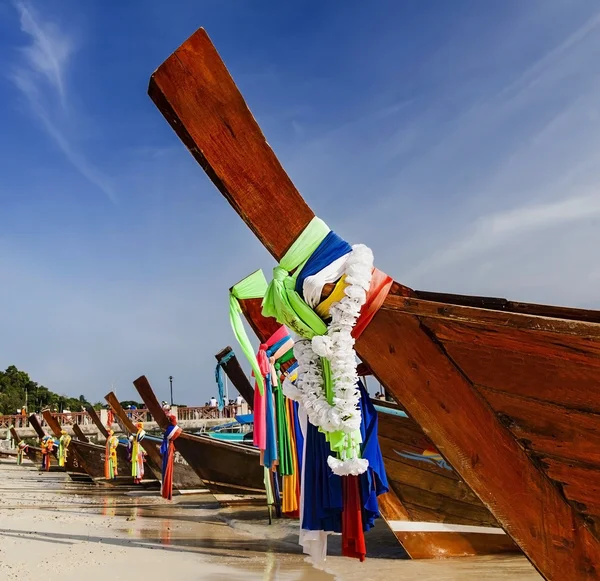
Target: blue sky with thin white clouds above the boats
460 140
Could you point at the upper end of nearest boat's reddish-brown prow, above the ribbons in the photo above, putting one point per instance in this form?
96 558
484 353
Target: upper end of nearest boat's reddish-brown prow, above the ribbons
190 85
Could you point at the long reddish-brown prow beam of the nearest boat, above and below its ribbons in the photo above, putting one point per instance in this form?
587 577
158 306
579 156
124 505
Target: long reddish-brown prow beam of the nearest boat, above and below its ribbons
196 94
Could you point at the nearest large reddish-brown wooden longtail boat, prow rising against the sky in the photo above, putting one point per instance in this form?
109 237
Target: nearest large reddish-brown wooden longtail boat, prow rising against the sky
508 392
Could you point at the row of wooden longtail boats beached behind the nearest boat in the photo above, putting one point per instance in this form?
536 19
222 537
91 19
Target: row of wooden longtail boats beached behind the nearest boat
430 510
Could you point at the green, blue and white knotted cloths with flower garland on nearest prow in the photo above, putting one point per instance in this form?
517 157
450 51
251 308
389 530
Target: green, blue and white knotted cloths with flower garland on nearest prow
327 378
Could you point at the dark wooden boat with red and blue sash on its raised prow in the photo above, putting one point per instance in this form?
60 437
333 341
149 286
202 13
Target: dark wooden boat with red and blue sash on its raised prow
224 467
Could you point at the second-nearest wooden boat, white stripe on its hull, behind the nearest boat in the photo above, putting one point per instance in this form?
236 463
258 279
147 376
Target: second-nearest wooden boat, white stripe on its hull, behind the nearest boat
432 513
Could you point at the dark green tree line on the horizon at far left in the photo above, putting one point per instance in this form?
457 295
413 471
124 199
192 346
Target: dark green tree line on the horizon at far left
16 387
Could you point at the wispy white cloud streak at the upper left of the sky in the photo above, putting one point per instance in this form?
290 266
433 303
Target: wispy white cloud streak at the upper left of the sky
40 75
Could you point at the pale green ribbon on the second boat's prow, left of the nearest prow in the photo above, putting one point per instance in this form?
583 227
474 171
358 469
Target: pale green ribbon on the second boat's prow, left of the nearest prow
252 287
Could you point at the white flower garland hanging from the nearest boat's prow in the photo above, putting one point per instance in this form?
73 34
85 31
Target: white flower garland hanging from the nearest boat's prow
338 347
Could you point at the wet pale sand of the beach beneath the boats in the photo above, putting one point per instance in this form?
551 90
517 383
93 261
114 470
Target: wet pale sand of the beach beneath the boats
52 529
